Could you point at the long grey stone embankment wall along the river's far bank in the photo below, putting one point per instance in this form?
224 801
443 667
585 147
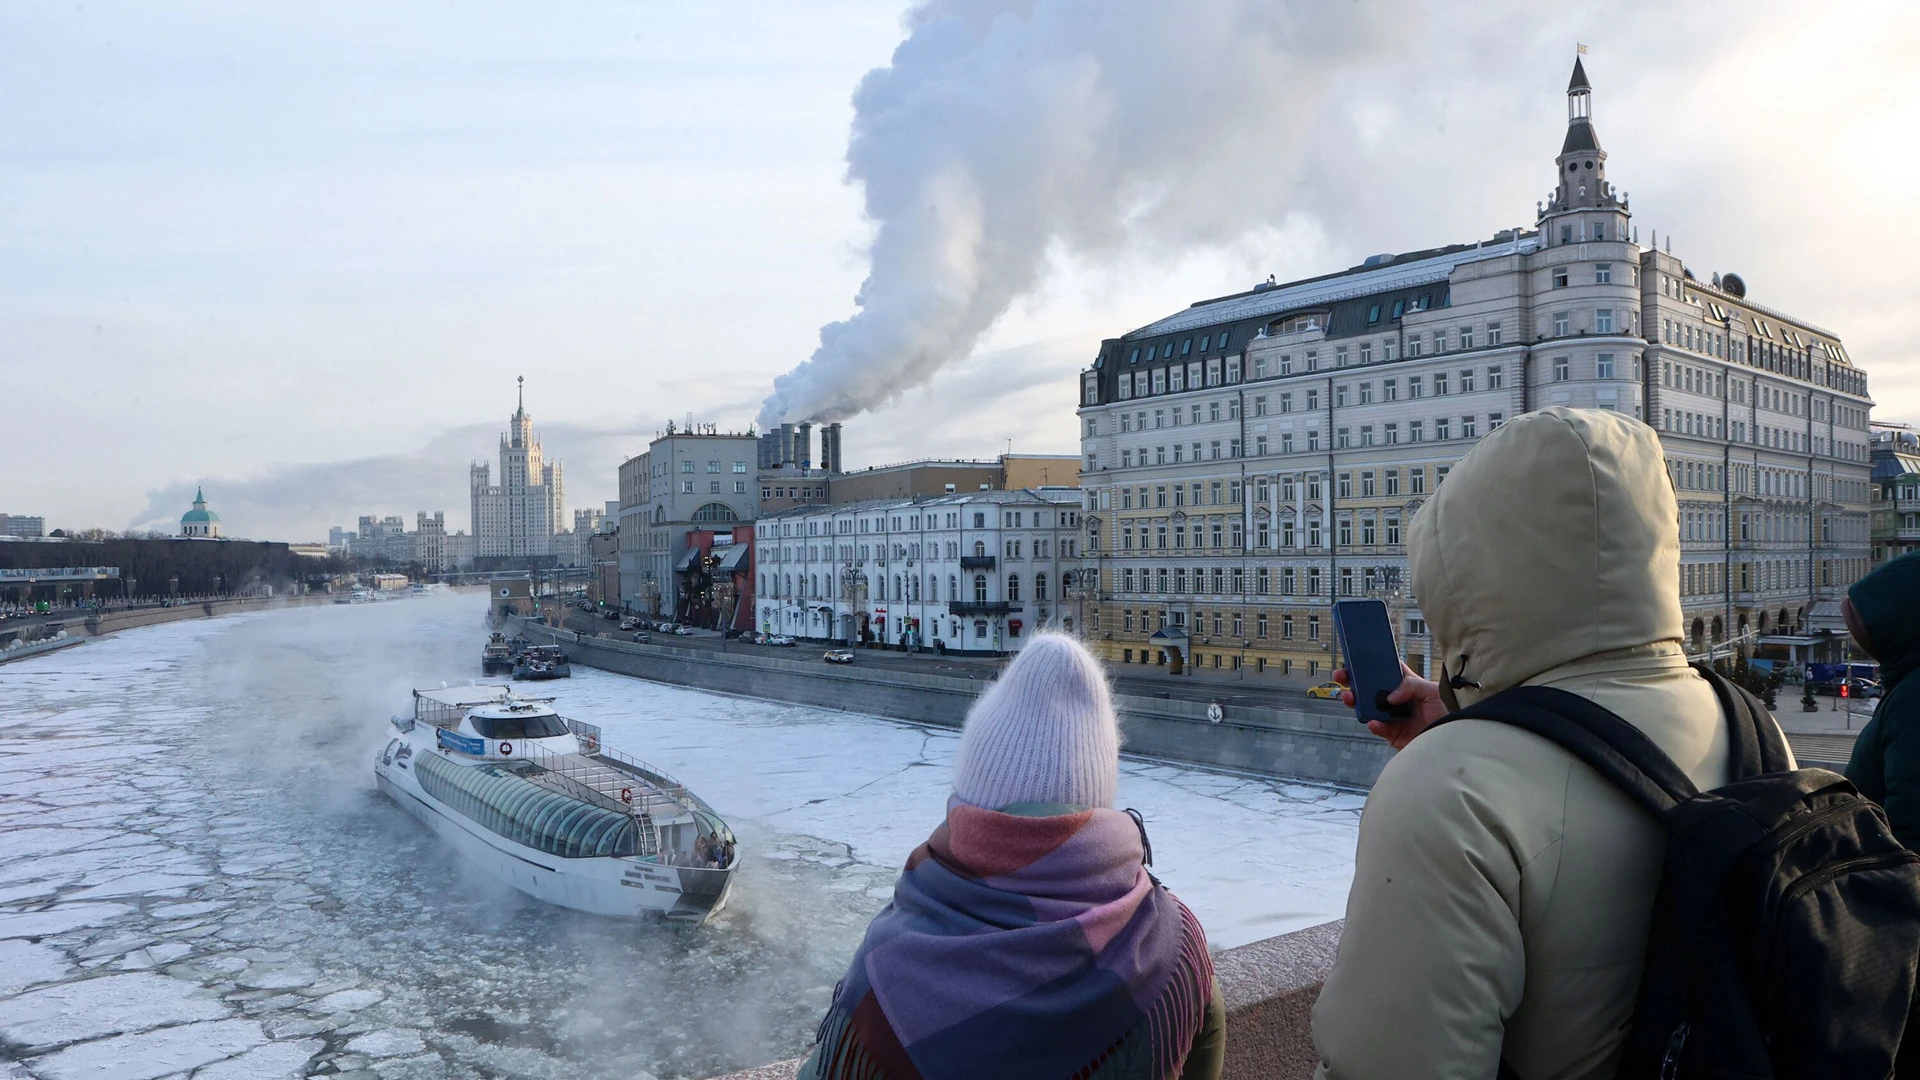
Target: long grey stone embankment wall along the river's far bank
1278 743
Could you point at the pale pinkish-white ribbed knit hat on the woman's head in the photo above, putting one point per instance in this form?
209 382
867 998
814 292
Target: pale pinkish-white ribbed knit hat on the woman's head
1044 733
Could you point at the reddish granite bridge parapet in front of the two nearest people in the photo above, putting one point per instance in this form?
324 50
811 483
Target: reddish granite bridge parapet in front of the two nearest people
1270 991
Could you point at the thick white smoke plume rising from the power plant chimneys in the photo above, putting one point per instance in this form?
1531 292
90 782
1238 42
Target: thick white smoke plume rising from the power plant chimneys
1007 128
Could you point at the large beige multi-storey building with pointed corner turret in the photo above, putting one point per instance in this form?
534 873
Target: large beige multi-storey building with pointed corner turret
1253 458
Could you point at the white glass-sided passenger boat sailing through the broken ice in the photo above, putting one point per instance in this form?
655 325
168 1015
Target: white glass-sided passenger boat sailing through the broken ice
546 808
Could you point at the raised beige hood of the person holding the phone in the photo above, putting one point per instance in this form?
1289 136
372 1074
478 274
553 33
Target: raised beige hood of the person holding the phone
1552 541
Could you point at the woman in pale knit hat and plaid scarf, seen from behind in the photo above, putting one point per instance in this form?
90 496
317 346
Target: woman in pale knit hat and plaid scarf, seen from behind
1026 939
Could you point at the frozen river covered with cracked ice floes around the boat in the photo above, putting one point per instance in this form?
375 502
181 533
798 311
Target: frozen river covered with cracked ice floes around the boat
199 879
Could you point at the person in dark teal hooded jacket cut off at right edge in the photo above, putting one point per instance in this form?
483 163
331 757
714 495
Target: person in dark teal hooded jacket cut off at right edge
1884 618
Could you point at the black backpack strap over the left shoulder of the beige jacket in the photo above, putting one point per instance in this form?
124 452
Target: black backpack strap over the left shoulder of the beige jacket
1616 749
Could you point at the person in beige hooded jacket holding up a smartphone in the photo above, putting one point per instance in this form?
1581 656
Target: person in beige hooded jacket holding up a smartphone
1502 889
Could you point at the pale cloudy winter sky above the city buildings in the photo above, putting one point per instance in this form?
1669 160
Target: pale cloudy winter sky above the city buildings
299 255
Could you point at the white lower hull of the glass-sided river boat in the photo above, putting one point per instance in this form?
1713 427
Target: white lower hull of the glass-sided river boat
610 885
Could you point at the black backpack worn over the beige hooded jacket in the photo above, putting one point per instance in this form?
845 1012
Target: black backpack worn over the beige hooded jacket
1787 929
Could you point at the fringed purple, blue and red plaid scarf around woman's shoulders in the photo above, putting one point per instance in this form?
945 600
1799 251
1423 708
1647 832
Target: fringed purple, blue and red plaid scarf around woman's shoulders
1022 948
